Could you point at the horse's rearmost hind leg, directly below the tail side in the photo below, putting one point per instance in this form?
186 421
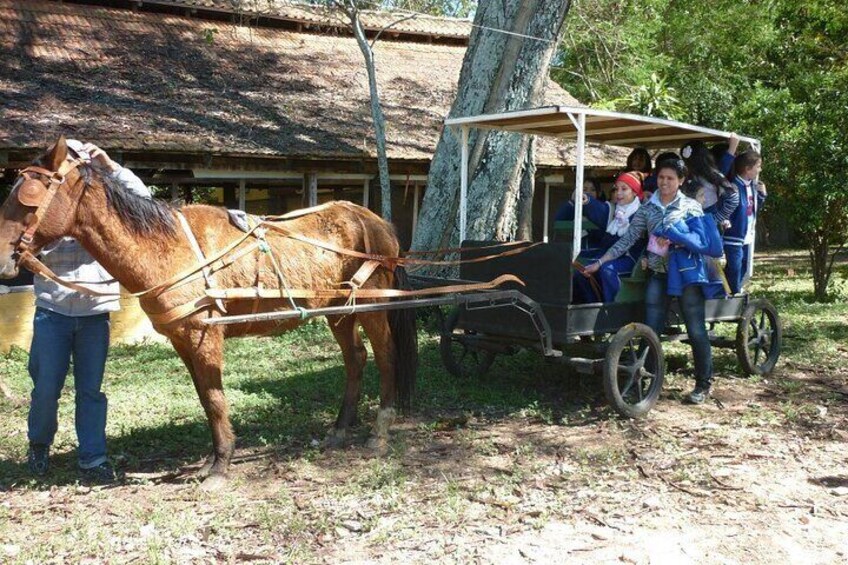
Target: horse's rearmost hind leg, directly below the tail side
376 326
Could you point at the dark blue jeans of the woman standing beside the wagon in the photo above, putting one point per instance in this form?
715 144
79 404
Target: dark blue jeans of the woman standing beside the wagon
692 305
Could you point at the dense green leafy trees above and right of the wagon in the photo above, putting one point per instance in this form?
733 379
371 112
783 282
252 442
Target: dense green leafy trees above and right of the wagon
773 69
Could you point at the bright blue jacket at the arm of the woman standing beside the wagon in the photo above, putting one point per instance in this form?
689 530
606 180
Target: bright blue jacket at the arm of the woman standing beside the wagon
693 239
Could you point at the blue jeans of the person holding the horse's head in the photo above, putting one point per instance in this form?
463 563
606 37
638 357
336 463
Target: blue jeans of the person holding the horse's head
56 339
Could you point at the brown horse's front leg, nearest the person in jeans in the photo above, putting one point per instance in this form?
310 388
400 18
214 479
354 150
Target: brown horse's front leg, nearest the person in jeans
204 351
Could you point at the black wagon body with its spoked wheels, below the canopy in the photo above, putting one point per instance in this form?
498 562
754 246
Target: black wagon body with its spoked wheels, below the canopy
625 352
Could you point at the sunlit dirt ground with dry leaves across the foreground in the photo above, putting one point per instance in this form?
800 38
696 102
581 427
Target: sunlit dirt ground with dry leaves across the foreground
746 478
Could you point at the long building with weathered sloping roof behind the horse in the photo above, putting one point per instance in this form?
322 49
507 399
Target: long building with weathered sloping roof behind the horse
263 106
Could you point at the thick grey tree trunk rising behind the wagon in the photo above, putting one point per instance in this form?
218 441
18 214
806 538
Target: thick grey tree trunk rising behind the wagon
500 72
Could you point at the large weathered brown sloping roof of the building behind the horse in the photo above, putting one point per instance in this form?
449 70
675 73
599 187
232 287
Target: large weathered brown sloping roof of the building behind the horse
142 81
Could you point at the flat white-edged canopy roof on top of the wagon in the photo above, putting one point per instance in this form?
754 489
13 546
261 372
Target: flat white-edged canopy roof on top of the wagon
602 127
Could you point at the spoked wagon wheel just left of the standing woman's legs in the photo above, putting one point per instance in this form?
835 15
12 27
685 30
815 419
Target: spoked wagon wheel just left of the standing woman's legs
634 369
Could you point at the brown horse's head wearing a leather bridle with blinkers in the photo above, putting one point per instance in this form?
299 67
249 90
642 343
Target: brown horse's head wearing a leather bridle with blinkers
41 207
